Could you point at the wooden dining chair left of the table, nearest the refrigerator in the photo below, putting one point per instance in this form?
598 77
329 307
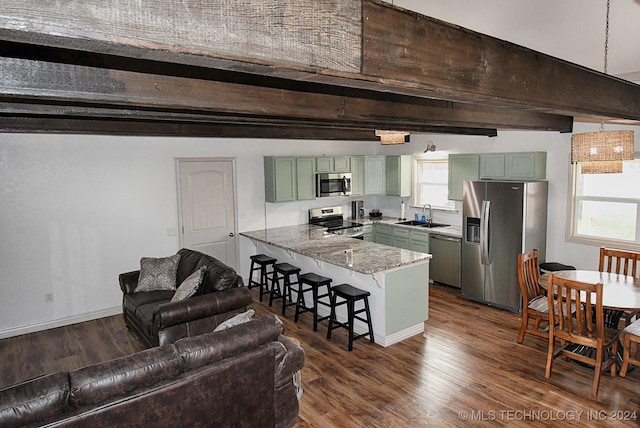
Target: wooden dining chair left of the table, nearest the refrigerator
534 298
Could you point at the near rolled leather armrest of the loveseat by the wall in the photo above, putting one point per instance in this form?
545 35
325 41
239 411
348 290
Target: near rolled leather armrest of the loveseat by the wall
193 308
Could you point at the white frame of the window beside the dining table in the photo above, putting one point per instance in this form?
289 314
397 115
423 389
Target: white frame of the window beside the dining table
573 202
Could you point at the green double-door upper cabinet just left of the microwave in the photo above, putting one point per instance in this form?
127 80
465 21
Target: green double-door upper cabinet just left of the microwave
289 179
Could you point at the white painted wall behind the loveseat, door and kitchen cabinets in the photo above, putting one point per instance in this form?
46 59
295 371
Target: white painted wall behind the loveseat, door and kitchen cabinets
76 211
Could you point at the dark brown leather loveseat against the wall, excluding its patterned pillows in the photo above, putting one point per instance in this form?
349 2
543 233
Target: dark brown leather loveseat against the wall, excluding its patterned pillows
158 321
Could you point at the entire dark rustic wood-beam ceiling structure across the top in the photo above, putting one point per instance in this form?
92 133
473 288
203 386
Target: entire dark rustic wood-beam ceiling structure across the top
279 68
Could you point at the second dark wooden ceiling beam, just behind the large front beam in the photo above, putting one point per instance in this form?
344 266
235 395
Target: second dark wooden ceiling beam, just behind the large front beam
185 93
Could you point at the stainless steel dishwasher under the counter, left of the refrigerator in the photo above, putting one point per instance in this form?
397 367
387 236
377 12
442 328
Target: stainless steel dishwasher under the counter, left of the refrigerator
445 264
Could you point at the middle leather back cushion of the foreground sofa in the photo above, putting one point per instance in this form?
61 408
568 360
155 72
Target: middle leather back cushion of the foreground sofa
99 382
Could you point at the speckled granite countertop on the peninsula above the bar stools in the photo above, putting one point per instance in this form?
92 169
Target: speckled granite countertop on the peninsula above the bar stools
354 254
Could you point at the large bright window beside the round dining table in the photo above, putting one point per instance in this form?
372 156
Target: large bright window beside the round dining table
606 207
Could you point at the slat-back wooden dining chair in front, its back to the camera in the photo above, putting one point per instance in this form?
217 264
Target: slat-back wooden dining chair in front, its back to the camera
581 337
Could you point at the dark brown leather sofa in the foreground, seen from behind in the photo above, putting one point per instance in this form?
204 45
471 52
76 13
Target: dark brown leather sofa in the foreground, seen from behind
242 377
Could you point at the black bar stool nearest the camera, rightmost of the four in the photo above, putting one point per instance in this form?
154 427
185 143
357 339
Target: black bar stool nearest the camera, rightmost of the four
350 294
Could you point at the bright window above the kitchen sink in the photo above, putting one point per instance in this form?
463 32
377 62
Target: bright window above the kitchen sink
431 183
